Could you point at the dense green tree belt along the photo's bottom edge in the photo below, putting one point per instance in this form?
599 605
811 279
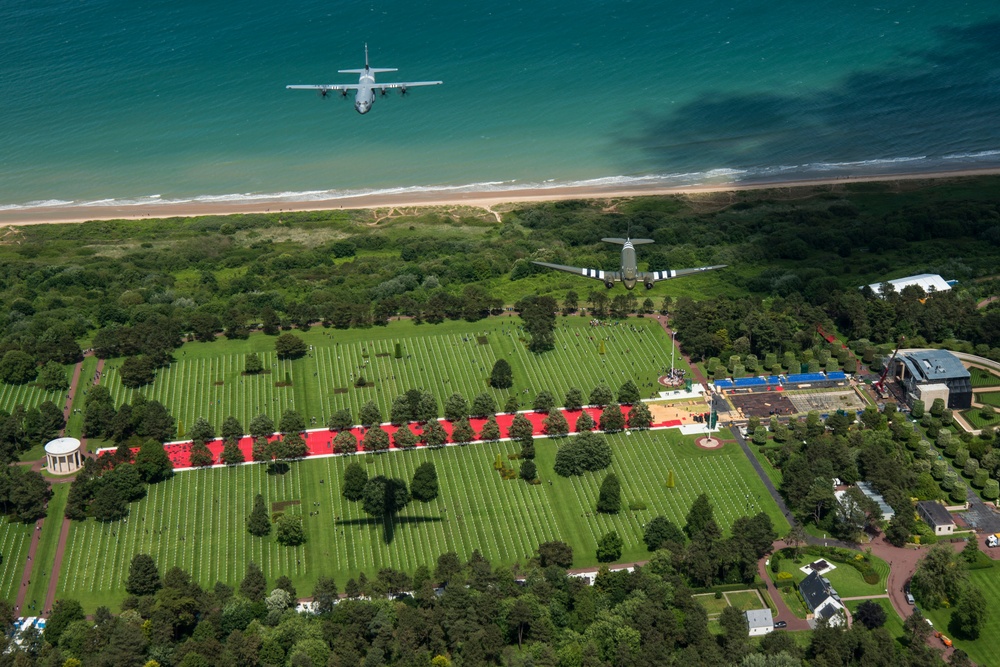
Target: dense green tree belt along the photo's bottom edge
461 614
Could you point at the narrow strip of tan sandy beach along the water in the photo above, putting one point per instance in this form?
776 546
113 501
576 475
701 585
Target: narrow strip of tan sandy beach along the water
480 199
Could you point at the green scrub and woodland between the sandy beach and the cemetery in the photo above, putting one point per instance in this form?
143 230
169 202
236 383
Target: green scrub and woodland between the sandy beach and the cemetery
797 258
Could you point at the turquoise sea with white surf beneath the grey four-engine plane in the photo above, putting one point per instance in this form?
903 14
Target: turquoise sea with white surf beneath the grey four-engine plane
128 101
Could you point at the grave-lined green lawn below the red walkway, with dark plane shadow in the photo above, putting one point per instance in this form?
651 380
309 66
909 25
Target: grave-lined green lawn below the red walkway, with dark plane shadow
196 520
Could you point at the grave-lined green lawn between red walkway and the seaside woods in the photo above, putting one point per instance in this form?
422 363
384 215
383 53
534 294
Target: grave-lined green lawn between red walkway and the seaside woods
444 359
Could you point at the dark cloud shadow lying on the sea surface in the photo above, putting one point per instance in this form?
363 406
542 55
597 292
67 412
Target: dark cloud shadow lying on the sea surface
936 103
